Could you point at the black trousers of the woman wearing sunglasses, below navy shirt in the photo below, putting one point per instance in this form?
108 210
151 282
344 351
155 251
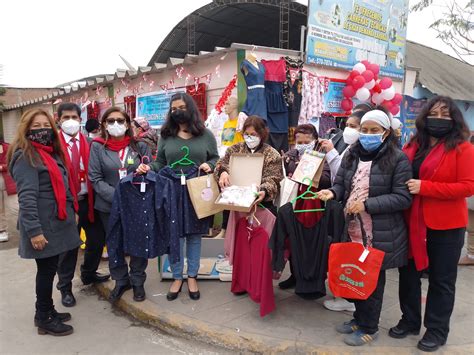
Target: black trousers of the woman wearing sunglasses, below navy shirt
120 273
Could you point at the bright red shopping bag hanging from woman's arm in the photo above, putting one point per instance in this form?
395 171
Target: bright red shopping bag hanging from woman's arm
354 269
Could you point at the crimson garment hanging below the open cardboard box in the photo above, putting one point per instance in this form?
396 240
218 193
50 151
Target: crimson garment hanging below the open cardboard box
252 270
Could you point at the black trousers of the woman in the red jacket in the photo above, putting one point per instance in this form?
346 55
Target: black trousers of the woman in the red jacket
444 249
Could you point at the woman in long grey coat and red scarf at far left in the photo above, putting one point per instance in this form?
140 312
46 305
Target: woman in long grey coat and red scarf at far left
46 209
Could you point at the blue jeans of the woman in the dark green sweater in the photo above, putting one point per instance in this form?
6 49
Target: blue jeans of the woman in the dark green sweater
193 253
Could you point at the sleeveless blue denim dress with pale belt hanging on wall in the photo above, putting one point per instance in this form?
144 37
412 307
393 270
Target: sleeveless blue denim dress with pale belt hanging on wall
255 79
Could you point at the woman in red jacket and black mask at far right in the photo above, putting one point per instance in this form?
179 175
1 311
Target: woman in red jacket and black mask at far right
443 176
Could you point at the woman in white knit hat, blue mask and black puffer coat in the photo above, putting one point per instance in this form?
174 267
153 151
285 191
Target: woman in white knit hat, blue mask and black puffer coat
371 183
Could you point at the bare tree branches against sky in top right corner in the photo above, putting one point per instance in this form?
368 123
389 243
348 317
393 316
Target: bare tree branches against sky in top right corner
455 25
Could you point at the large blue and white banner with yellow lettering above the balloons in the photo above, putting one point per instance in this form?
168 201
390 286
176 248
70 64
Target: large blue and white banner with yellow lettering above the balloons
342 33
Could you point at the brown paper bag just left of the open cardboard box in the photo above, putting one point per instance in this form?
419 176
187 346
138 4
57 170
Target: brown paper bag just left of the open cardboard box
203 191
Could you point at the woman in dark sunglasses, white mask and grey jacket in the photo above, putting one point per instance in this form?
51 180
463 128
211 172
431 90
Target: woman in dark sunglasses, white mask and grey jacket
112 156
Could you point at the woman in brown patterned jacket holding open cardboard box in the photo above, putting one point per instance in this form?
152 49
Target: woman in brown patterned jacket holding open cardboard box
255 134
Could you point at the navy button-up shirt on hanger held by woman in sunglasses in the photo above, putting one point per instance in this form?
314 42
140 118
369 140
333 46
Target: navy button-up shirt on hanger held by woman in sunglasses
140 206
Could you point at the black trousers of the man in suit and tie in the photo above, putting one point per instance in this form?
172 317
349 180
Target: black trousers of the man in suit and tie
95 242
